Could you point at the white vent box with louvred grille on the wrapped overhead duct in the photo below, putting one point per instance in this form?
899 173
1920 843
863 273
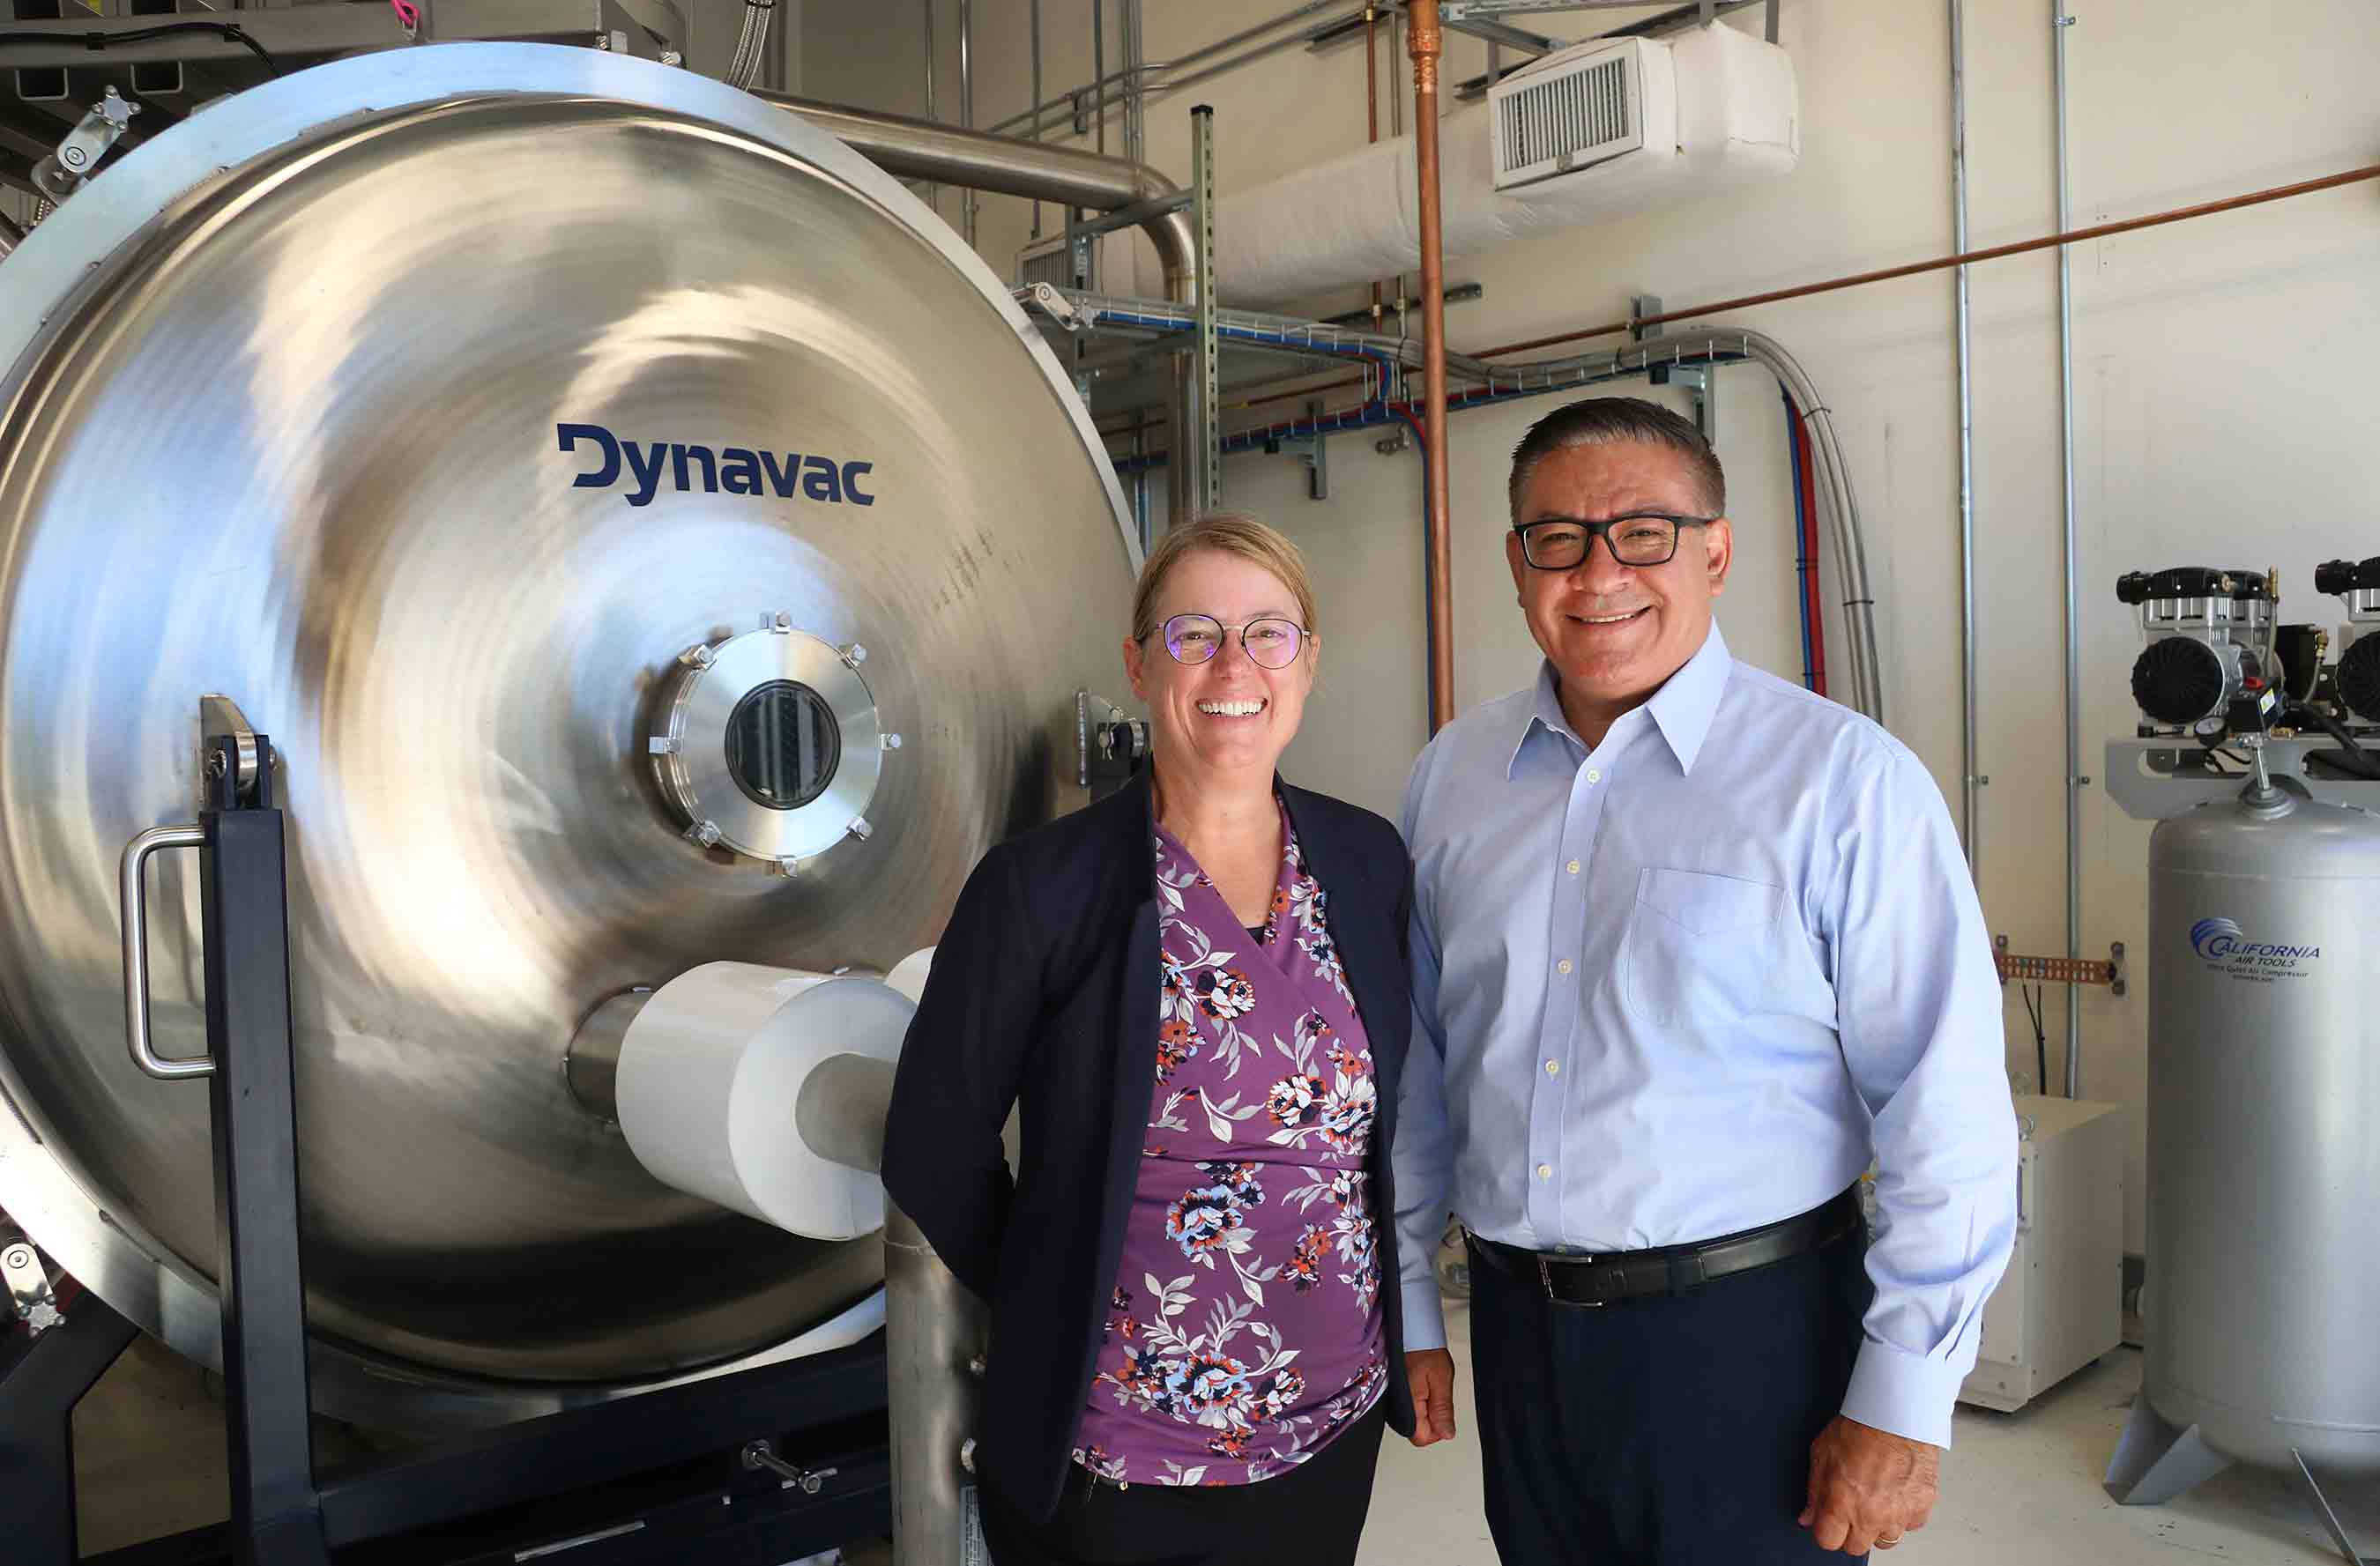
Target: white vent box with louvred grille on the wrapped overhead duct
1582 108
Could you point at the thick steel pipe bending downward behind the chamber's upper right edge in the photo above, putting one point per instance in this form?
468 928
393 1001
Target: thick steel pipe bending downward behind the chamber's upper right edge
915 149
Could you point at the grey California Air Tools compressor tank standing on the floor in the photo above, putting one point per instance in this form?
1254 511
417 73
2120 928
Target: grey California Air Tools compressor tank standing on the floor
2265 1163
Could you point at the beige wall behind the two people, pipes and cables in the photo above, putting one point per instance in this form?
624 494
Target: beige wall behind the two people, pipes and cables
2222 375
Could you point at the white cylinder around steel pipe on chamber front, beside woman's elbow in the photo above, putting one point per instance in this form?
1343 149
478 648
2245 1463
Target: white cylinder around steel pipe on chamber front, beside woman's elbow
765 1091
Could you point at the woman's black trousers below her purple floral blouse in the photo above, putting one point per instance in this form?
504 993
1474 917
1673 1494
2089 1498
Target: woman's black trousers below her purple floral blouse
1305 1517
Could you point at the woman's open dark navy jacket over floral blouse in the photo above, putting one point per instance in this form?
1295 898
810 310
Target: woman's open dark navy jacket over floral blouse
1044 991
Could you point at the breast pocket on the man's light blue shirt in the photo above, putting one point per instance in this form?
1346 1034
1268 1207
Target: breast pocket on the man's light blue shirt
1701 948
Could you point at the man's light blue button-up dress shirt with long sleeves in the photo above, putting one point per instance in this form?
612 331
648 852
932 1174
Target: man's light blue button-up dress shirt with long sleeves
1689 982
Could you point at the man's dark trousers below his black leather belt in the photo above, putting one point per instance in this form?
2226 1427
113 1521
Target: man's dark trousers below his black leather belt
1670 1429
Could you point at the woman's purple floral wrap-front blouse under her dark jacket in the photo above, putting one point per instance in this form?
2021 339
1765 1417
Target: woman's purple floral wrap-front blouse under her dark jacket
1246 1322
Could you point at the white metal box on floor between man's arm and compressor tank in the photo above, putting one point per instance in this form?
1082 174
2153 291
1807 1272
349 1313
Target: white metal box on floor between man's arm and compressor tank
2062 1298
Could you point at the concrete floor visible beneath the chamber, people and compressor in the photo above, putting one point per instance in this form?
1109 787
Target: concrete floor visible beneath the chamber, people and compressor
2017 1491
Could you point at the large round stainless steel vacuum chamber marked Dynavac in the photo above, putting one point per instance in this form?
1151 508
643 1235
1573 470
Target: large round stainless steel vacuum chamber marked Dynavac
649 537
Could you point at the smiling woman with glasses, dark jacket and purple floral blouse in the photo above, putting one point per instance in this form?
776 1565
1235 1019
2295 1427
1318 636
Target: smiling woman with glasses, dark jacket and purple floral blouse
1198 991
